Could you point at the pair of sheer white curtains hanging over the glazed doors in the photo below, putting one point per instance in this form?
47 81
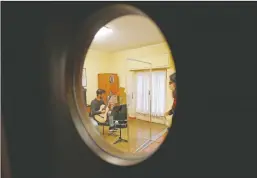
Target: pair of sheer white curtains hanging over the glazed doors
158 92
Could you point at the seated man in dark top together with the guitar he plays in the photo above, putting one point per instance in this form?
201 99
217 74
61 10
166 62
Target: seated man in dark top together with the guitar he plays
100 112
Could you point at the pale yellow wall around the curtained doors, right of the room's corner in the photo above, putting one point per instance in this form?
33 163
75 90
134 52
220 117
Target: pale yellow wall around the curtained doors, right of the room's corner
159 55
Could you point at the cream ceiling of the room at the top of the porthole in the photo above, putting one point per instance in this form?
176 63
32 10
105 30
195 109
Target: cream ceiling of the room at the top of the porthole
129 32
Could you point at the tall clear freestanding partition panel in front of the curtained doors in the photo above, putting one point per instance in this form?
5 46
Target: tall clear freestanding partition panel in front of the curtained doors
138 87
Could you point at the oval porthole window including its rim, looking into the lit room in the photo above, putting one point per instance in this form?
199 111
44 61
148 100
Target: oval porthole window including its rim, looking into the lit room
123 89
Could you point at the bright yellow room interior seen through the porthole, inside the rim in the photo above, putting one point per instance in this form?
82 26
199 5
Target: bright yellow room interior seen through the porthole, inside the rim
130 61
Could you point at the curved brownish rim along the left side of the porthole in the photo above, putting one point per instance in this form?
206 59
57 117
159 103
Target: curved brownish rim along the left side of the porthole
76 59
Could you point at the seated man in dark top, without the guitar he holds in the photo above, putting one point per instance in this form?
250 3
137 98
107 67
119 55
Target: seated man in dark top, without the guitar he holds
95 108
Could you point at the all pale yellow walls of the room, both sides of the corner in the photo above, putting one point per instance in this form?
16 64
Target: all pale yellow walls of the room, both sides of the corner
98 62
